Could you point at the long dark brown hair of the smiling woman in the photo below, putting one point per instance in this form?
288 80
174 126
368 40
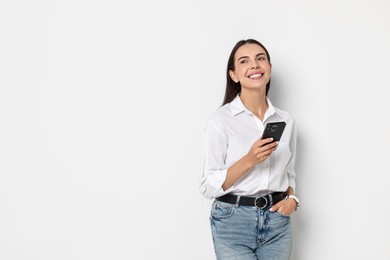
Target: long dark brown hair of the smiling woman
233 88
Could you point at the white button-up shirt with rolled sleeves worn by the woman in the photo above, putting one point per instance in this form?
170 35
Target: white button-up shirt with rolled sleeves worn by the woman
229 135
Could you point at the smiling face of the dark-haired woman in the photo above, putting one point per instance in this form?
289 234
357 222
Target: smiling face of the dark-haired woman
252 68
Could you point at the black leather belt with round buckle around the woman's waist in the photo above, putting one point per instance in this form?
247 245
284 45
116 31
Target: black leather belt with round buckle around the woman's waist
259 202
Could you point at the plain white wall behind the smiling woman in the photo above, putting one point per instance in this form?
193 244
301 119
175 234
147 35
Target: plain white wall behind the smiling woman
103 106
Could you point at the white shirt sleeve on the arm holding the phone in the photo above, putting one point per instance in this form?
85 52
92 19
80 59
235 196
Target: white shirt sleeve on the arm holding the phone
214 170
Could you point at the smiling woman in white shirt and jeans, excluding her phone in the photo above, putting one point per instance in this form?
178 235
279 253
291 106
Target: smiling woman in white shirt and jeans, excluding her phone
251 180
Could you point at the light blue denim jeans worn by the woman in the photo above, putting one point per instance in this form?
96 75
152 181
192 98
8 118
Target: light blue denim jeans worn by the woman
246 232
